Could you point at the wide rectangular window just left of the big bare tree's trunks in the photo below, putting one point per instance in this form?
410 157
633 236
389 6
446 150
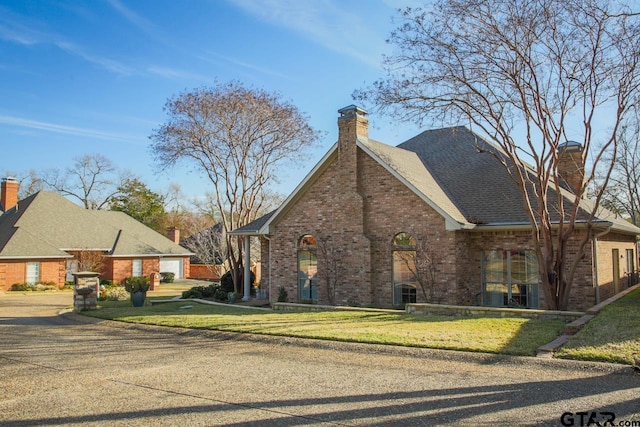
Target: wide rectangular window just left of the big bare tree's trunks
510 279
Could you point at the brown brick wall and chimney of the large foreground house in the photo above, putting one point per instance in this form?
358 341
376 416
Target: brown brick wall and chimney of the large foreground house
359 206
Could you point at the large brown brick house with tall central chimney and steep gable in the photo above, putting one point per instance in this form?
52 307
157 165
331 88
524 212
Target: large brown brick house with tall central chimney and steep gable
346 233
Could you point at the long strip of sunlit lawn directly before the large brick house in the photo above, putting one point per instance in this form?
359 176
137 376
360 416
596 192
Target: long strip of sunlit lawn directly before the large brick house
513 336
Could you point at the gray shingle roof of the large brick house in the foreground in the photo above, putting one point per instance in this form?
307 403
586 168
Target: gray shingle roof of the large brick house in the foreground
455 171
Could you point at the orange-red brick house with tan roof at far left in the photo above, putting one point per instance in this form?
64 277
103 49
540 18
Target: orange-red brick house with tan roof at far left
43 236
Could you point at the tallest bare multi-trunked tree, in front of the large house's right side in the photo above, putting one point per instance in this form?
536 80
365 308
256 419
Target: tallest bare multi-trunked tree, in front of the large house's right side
524 72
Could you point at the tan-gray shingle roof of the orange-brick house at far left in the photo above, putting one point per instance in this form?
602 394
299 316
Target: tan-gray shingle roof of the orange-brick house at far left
46 224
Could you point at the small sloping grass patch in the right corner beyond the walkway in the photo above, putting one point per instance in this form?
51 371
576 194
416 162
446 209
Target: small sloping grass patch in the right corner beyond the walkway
612 336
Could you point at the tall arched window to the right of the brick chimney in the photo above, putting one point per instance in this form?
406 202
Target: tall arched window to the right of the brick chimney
404 267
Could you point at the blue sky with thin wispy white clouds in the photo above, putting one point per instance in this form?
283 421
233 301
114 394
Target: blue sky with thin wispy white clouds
92 77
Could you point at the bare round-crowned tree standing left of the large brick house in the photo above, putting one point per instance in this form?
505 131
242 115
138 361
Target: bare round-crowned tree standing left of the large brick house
236 136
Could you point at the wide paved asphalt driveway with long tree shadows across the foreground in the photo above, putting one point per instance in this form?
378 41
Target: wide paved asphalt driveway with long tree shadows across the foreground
72 370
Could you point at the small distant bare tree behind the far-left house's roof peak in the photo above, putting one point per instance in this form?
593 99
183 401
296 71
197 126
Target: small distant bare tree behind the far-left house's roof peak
92 180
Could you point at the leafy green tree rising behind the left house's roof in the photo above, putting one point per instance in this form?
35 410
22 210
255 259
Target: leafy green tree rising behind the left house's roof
136 200
